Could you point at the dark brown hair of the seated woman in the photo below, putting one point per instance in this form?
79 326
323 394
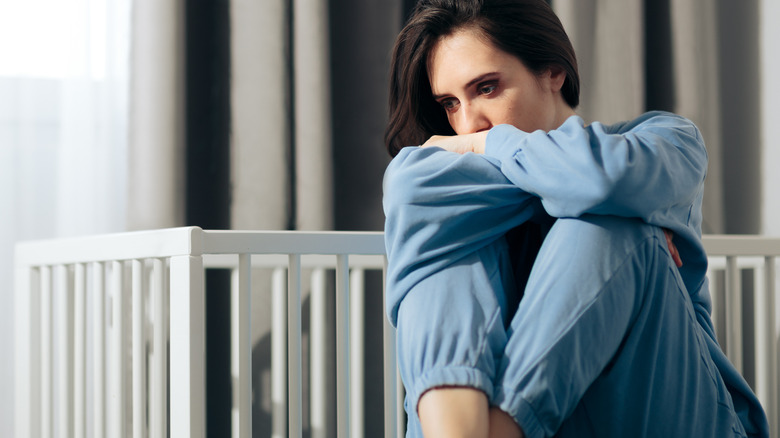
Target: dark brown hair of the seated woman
527 29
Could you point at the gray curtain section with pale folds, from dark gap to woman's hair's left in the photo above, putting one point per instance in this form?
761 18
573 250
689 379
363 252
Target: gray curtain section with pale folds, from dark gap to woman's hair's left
308 110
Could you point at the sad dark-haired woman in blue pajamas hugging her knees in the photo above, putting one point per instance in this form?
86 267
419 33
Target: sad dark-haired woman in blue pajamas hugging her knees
534 290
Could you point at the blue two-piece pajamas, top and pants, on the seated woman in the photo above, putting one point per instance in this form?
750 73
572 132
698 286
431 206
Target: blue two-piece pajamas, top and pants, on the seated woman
607 340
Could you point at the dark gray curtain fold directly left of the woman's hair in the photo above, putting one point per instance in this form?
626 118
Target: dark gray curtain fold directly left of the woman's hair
362 34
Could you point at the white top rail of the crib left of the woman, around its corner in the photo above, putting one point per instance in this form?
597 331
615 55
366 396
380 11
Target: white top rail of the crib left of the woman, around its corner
193 241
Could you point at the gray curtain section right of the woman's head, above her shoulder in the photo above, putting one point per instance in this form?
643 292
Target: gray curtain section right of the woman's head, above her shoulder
697 58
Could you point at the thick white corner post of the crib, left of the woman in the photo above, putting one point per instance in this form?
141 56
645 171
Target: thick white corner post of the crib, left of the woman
187 347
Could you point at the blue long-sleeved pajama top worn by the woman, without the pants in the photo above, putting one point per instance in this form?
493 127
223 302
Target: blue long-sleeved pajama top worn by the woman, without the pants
441 206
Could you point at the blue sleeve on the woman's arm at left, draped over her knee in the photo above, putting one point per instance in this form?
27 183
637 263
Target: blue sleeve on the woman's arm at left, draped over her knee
441 206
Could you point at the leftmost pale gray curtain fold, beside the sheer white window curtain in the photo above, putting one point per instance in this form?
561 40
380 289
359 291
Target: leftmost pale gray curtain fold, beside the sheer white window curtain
156 160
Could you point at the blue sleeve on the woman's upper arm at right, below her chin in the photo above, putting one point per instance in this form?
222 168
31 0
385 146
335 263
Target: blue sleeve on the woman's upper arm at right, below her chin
652 168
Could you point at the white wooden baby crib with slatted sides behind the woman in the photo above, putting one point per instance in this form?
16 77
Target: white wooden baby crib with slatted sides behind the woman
156 278
